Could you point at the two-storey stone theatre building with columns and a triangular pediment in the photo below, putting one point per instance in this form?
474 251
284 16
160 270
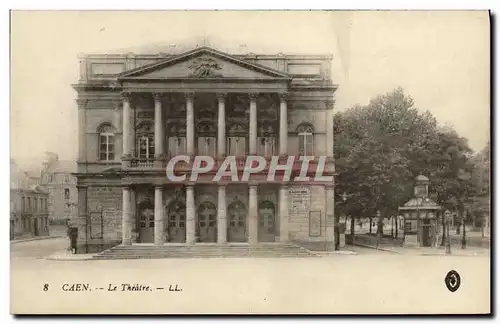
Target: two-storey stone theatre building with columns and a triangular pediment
137 110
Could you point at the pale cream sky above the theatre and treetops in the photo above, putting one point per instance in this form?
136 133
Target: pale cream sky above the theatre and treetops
441 59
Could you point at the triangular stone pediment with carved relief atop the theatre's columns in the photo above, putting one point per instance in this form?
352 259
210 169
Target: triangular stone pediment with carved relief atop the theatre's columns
203 63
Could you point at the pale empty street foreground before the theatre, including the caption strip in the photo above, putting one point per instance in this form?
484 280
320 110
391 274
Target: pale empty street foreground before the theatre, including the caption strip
371 282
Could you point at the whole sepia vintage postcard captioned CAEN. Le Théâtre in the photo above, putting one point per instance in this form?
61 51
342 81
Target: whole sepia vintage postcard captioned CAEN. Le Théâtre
250 162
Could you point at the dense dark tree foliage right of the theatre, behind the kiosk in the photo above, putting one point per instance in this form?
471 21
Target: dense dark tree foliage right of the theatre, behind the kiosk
380 148
